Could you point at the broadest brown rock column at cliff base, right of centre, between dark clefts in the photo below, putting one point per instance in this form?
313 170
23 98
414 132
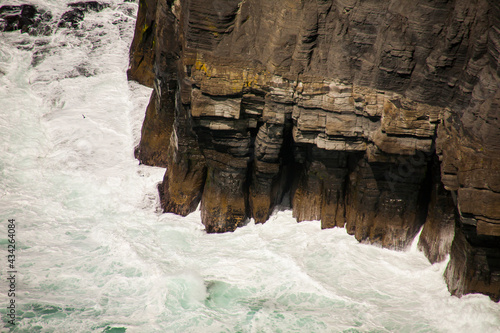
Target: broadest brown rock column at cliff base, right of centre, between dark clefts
384 202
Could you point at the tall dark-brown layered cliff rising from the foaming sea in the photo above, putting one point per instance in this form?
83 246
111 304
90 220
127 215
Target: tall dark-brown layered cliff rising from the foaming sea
376 116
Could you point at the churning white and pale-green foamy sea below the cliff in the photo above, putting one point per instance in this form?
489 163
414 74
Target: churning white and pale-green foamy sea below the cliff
94 253
